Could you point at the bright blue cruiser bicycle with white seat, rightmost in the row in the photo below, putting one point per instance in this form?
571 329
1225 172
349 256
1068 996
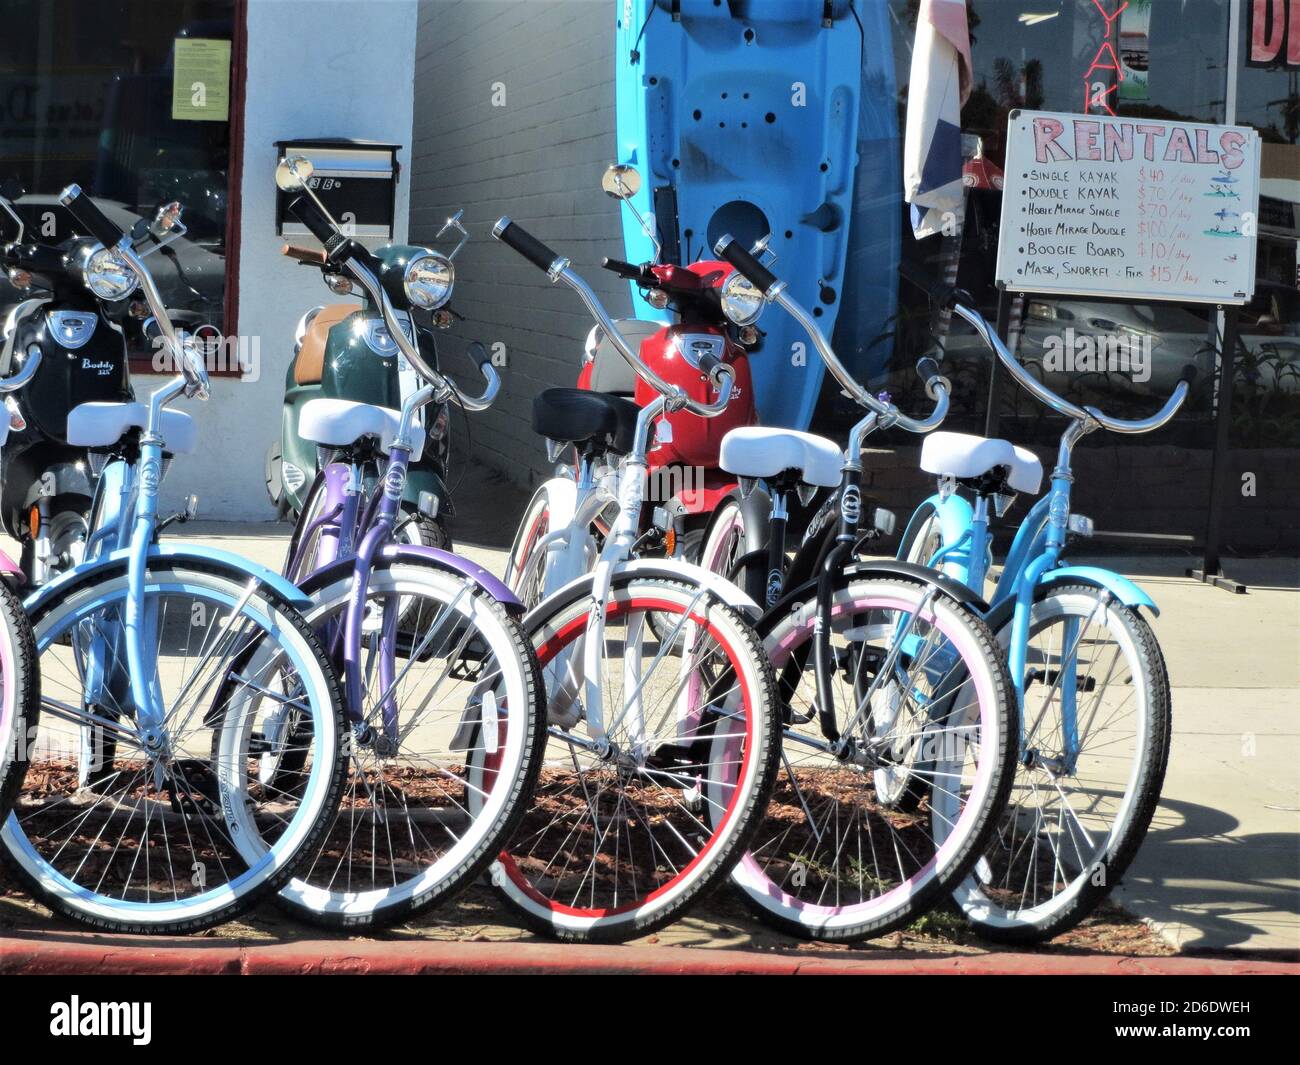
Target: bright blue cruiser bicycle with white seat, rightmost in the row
1086 669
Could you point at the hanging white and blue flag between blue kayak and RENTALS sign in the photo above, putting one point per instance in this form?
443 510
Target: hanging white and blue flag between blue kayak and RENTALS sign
939 86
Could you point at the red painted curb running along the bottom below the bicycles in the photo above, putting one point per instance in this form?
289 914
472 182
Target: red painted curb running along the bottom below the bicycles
86 954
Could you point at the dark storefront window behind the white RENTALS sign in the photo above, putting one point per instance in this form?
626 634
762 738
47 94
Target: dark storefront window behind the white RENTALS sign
1058 55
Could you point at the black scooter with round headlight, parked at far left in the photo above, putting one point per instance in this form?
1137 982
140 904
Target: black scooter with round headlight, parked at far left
77 301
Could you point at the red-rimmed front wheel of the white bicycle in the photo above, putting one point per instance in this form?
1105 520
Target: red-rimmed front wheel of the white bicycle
625 835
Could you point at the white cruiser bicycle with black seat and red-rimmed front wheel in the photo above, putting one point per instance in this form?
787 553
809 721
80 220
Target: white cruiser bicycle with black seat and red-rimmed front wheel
662 730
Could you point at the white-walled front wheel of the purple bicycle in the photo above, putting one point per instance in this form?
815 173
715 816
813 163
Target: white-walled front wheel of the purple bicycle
444 754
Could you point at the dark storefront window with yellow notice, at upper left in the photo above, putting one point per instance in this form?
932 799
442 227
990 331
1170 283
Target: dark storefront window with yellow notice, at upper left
89 96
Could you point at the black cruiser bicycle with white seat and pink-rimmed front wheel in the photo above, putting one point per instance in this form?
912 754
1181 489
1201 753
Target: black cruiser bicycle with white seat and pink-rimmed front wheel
898 720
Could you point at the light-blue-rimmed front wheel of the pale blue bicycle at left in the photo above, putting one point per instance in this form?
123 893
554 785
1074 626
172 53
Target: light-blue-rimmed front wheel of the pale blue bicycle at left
174 832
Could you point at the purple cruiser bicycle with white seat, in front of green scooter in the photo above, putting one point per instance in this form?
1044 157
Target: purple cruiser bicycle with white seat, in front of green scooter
444 699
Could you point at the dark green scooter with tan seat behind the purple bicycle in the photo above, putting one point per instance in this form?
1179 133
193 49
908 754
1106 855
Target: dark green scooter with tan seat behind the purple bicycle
344 352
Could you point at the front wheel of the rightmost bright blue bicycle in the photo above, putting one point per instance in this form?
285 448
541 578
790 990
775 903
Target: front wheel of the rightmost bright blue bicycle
1085 795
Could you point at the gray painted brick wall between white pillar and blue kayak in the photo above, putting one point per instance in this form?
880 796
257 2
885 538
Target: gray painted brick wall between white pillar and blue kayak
538 159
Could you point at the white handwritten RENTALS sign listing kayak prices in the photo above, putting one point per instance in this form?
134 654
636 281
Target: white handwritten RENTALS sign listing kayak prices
1129 207
